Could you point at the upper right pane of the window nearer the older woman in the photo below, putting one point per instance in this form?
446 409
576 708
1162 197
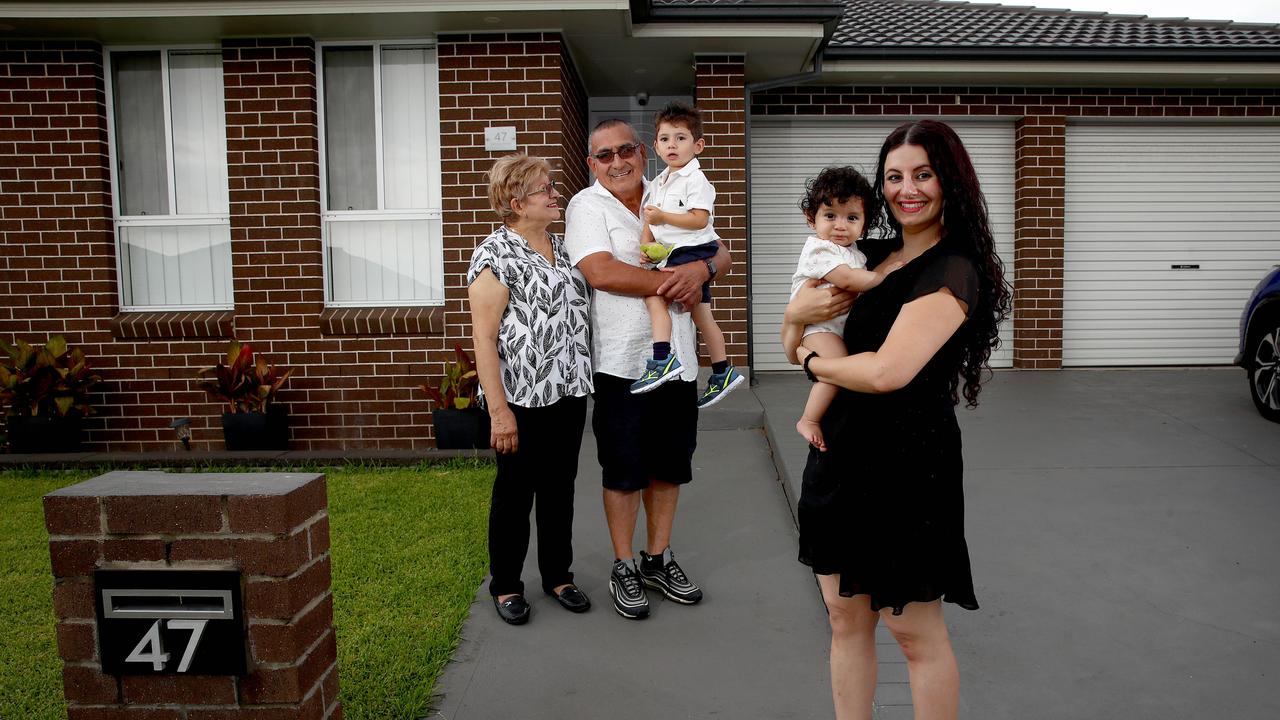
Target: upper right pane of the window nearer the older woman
405 127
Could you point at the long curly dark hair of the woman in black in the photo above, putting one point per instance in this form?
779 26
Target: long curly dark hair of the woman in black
967 229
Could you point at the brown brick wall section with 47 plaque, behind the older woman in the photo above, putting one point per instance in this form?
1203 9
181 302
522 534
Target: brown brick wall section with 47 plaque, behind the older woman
520 80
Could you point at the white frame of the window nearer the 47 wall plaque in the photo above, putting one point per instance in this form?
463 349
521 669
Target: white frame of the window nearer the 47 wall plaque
436 212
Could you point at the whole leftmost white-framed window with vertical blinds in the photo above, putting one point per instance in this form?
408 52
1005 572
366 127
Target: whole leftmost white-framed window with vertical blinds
168 133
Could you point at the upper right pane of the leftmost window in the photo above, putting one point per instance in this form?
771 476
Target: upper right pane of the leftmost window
199 133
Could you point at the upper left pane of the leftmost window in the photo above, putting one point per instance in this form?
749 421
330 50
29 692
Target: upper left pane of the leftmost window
140 139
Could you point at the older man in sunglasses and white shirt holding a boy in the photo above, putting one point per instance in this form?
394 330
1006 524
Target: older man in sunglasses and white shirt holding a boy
646 443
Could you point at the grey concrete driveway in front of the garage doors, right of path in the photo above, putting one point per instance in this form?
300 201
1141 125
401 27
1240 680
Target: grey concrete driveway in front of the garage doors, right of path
1124 528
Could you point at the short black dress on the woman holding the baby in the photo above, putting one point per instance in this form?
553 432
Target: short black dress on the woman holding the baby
884 508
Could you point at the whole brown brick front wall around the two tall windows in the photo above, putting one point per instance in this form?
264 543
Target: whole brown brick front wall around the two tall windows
356 371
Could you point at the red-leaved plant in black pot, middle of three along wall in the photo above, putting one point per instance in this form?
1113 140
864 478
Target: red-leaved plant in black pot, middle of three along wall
248 385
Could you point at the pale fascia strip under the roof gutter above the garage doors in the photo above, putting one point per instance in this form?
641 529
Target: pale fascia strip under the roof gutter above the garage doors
1049 70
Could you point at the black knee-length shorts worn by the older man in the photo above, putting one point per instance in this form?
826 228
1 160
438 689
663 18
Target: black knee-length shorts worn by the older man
643 438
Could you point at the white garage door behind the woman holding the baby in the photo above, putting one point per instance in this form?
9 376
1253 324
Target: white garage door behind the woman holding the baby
788 152
